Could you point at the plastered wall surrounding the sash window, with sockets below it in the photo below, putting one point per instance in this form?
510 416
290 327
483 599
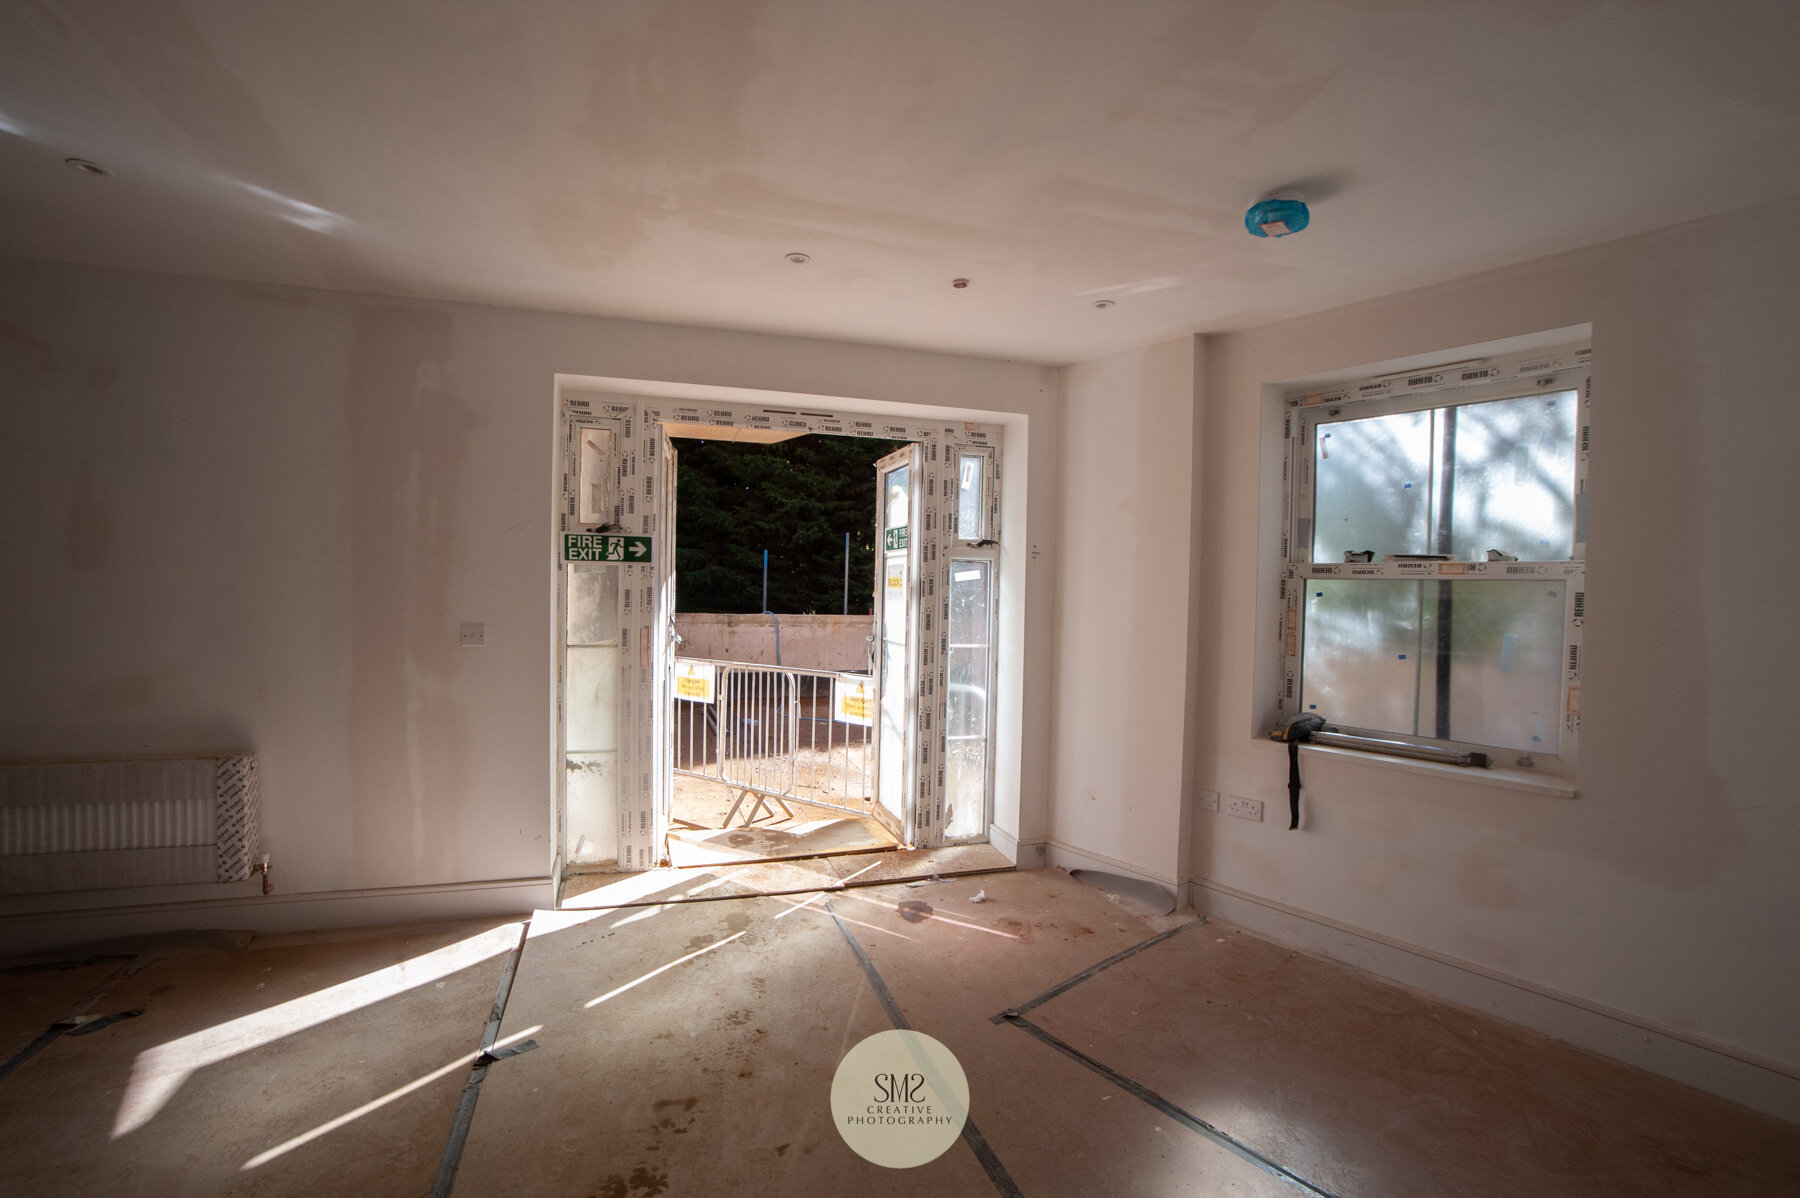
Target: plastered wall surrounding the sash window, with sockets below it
1668 890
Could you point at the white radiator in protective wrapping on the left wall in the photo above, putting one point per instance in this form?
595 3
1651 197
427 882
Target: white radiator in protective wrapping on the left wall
103 825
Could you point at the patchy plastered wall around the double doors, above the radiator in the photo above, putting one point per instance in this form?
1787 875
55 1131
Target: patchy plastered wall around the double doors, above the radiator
255 517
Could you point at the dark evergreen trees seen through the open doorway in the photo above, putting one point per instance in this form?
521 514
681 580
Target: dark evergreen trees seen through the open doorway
796 499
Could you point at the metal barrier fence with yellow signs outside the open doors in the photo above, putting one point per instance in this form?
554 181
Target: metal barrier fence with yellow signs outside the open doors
775 733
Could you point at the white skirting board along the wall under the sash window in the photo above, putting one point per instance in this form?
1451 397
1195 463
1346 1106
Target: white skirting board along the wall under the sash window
1714 1068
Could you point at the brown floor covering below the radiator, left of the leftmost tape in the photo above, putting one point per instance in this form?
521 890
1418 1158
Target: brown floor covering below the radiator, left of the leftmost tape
341 1055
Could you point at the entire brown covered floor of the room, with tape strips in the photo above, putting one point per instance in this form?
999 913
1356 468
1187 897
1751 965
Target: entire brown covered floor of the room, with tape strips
687 1048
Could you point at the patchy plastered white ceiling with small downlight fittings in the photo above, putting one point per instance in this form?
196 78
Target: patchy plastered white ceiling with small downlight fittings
658 161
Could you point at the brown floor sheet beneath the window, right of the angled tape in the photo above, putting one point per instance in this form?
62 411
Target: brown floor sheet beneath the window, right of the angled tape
1372 1089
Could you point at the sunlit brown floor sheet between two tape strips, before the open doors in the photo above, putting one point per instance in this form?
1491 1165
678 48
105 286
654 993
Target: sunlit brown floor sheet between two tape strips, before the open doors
687 1050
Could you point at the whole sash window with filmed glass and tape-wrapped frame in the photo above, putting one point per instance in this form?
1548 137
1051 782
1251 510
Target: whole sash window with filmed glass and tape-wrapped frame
1435 589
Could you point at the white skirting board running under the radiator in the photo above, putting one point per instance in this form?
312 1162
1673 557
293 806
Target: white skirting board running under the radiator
282 913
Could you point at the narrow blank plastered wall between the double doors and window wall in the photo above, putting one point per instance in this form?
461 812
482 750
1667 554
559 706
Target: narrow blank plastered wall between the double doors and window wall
1122 627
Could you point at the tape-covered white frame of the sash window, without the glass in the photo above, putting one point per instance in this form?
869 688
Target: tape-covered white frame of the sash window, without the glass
1457 384
